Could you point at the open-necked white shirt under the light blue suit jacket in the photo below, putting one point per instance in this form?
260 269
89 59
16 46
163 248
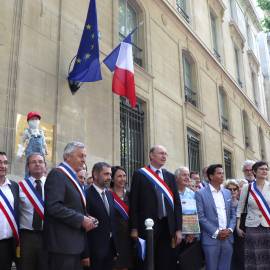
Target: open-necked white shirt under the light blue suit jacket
220 206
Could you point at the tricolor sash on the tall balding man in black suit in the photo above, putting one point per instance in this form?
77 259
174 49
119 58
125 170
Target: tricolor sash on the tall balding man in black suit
158 183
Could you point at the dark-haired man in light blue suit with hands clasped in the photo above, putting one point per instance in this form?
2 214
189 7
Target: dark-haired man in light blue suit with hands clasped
217 220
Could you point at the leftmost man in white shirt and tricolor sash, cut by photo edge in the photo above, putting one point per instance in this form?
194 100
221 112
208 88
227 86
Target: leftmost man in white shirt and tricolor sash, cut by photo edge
9 197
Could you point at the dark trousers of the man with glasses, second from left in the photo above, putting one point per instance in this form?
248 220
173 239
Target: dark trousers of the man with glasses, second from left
33 254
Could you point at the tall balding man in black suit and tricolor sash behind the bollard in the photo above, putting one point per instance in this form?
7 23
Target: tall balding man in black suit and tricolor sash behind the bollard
147 200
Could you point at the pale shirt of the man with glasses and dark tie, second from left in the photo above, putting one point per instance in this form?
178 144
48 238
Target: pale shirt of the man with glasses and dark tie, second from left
26 207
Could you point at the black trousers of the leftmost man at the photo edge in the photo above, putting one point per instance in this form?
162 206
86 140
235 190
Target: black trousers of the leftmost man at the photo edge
7 253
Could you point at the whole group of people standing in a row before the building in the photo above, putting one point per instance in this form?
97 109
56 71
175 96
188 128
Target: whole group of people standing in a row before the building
60 221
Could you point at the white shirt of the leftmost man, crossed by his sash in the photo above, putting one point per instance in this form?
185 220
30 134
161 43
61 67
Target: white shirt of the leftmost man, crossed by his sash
5 230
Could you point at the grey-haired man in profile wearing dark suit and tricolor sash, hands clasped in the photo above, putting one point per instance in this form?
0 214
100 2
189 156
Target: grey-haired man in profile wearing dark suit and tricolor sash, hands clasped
66 221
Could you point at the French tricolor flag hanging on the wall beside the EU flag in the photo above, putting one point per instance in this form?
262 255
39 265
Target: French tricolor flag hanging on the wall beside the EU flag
120 61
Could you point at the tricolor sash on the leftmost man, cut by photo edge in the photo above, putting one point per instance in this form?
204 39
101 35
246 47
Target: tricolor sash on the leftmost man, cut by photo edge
9 213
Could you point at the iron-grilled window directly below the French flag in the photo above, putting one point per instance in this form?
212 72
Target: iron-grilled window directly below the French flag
131 137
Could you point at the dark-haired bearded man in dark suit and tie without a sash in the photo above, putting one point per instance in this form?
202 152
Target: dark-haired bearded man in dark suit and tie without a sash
100 204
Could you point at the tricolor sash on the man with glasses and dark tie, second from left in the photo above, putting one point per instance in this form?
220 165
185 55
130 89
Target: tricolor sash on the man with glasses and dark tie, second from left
33 196
